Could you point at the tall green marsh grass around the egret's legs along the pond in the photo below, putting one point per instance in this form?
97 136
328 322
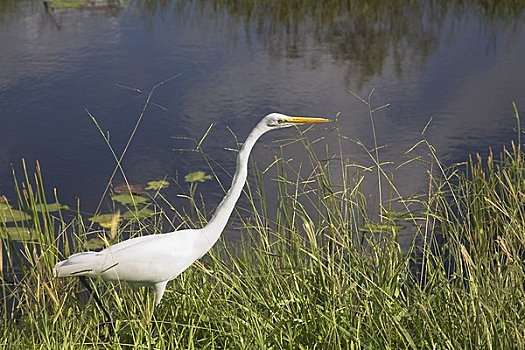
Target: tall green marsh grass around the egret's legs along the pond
324 271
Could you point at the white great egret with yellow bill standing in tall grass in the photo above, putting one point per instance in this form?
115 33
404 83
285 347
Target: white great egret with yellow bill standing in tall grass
155 260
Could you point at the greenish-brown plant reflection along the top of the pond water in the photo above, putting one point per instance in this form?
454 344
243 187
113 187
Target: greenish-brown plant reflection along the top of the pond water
363 35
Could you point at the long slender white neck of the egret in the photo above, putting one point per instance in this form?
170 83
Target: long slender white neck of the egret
216 225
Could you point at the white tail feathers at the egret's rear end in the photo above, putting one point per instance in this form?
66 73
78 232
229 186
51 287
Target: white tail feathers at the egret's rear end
81 264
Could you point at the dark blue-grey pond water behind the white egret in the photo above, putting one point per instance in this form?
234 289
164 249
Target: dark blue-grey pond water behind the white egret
459 66
